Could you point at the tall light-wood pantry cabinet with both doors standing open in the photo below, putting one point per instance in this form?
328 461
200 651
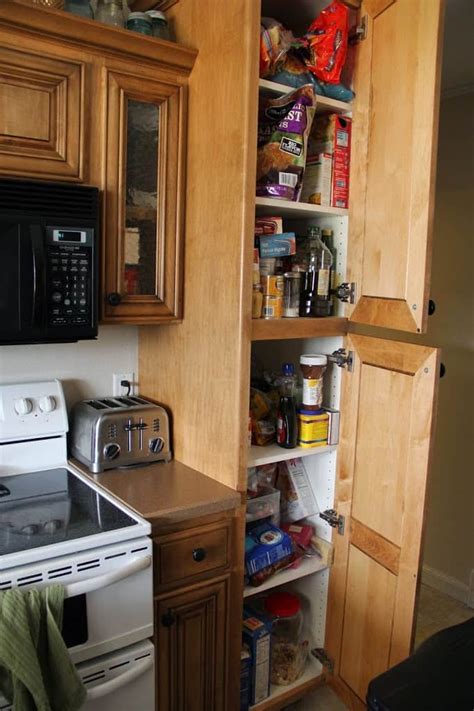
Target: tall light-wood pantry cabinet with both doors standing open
362 610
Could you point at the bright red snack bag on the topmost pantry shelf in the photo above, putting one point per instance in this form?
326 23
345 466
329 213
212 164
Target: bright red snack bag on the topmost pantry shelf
327 40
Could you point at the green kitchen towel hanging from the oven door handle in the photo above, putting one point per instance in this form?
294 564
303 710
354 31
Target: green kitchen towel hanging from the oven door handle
36 671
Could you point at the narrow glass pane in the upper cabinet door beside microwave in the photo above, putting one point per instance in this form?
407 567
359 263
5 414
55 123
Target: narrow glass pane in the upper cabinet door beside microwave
141 198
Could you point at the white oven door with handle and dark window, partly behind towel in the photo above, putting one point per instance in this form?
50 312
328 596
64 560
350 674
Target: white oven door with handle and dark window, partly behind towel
109 595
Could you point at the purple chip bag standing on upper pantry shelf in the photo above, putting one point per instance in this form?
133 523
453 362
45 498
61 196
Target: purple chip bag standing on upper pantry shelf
283 127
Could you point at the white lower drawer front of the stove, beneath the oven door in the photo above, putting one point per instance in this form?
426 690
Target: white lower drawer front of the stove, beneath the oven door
120 681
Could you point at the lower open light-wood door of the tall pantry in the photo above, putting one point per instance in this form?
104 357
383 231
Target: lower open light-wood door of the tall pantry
387 419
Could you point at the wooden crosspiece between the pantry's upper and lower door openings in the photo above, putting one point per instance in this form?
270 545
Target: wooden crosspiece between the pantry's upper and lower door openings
279 329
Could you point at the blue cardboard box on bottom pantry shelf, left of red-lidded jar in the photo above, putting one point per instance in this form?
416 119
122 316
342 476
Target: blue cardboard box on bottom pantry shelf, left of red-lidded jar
256 635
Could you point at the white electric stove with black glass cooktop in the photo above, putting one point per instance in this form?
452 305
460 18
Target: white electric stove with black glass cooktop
57 526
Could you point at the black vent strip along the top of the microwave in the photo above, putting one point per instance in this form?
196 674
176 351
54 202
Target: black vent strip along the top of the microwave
48 200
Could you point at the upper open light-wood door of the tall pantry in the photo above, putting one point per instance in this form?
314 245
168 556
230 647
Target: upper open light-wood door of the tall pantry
397 70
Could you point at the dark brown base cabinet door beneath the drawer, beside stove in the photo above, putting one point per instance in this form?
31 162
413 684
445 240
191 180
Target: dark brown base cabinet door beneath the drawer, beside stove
191 643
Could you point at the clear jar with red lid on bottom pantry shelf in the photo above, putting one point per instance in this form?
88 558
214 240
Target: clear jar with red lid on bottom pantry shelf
289 645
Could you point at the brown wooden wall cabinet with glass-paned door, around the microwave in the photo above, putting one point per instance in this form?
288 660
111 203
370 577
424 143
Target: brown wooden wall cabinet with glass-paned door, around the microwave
86 102
